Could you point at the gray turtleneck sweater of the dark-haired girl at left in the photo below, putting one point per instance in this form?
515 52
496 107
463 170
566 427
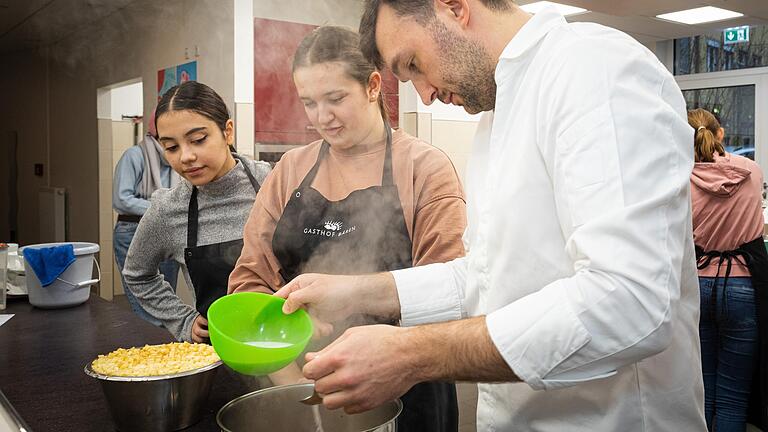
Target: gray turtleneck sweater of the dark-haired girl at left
223 207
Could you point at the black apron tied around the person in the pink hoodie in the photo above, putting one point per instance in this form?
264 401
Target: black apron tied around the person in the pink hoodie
754 255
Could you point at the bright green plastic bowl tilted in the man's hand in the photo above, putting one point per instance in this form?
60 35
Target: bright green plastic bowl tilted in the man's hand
252 335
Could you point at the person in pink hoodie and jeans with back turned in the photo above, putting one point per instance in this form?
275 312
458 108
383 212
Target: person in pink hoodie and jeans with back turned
726 191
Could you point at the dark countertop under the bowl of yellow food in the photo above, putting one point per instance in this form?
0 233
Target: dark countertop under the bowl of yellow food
43 352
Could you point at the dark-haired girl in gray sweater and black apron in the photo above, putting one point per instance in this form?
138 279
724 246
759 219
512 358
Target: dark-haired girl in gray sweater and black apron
198 223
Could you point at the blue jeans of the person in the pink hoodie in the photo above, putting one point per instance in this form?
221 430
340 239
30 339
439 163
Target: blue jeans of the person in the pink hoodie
729 344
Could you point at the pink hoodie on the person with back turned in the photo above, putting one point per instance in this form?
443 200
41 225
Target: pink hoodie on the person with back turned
727 207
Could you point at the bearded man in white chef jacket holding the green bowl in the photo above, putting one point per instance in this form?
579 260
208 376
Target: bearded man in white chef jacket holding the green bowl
577 304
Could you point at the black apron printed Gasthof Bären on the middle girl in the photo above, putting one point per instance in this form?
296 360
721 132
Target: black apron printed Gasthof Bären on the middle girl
362 233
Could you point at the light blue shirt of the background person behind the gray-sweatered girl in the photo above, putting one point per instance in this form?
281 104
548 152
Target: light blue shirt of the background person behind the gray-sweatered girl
127 180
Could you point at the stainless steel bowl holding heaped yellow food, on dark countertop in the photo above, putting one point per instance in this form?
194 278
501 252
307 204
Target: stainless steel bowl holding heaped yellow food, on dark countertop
157 403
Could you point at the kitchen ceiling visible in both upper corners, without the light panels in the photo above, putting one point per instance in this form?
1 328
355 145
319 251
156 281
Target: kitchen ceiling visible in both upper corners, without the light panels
26 24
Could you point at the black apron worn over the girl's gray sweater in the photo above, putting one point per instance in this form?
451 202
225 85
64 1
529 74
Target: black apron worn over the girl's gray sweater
209 266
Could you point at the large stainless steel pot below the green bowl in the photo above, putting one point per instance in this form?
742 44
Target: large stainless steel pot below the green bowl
279 409
